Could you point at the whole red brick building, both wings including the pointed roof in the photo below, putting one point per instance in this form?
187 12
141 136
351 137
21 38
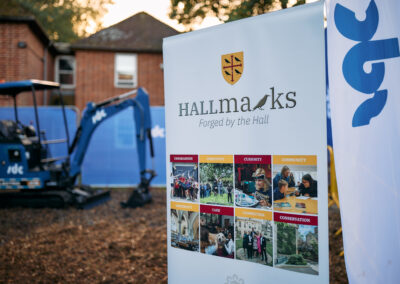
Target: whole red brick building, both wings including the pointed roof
110 62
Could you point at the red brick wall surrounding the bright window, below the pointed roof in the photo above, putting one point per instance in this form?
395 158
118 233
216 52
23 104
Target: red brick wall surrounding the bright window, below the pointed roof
95 77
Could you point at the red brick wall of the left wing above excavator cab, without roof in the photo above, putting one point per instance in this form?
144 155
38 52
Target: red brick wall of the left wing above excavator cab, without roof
22 63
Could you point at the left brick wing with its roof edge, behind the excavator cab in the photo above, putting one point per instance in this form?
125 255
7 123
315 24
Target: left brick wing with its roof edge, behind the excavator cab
25 53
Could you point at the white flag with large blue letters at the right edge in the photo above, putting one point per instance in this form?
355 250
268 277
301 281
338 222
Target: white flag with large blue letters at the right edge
364 73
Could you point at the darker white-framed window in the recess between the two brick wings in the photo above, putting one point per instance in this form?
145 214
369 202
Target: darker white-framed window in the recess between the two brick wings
65 71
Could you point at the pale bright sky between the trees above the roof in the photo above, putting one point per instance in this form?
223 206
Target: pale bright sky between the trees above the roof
122 9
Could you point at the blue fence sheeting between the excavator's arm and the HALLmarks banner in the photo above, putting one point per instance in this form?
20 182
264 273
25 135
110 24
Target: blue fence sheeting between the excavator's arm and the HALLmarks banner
112 159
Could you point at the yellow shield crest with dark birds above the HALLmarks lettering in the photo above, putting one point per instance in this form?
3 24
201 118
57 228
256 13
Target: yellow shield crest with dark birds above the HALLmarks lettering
232 67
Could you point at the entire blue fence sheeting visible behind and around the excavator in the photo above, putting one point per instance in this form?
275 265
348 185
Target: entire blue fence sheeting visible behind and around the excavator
111 159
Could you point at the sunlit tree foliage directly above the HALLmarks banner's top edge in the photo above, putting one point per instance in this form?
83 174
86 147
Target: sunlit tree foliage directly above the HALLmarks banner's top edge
191 12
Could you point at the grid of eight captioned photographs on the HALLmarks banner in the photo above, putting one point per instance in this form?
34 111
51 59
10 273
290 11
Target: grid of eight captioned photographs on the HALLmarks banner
256 208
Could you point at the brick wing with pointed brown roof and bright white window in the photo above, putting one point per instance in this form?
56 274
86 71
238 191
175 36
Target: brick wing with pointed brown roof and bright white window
121 57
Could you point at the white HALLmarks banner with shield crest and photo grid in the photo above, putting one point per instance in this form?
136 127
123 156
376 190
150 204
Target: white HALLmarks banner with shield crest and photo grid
246 151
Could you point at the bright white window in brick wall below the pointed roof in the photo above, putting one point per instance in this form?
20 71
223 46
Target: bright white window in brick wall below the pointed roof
125 70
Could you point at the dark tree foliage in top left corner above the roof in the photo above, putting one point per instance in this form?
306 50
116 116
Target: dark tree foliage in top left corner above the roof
63 20
